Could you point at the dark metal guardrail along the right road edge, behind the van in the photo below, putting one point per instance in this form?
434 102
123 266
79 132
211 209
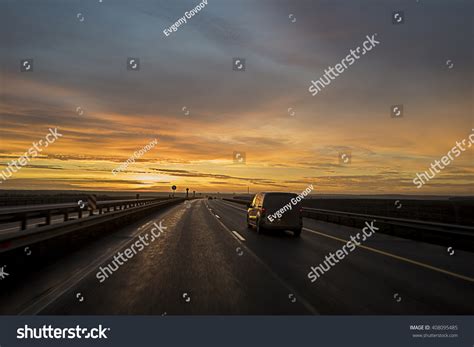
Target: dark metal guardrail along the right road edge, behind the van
451 229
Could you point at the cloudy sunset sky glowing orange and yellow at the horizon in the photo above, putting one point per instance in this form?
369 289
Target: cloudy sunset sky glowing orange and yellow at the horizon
187 95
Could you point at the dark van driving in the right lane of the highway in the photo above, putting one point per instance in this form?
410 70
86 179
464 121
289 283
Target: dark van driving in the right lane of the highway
274 211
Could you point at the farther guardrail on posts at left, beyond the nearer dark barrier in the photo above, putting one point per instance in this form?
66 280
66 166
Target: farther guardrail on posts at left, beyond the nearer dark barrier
23 214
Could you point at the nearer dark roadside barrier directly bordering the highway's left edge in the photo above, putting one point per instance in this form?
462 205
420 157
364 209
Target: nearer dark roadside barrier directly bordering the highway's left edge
54 240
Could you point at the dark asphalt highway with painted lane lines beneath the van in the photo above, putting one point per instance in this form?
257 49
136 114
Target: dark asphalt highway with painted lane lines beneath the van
208 262
